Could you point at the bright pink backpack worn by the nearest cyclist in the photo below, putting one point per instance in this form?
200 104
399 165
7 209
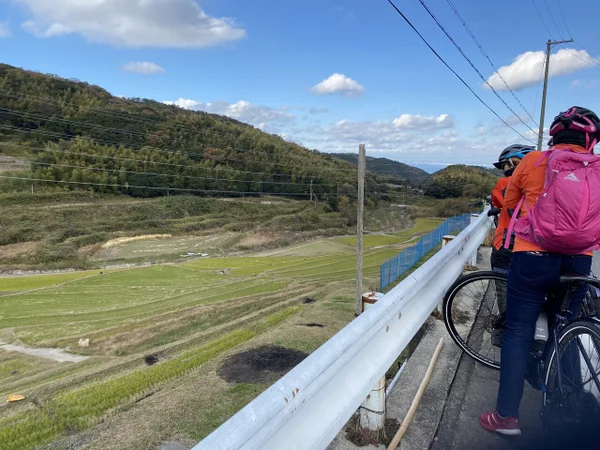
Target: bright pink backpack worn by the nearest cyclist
566 217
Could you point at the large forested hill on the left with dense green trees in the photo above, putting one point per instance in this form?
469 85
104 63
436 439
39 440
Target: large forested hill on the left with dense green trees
86 138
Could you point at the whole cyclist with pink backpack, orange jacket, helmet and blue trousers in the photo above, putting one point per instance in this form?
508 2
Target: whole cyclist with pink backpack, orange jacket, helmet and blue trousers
554 198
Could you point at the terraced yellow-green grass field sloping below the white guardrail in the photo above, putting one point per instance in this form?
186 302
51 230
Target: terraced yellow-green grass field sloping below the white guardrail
190 314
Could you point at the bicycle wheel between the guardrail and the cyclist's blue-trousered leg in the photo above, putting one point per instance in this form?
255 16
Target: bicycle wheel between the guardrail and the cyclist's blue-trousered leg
473 311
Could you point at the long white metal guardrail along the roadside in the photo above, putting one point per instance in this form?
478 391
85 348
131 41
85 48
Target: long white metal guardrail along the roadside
306 408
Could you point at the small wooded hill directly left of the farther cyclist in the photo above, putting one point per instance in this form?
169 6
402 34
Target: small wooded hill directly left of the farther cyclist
462 181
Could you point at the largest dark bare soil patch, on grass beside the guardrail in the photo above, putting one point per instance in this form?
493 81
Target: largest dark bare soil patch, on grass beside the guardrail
260 365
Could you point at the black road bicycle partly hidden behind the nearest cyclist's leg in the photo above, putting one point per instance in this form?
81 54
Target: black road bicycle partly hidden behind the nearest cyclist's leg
564 360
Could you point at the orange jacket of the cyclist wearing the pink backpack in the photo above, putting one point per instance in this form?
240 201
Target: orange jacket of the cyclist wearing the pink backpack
528 180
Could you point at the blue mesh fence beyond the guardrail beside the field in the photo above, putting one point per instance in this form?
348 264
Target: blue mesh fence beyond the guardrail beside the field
393 268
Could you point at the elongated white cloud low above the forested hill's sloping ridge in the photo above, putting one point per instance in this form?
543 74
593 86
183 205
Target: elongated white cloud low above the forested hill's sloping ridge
262 117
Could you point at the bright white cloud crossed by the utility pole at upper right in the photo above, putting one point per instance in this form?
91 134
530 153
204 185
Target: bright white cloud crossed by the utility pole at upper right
526 69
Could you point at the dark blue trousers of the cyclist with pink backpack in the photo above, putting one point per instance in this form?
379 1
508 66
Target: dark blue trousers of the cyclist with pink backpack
530 276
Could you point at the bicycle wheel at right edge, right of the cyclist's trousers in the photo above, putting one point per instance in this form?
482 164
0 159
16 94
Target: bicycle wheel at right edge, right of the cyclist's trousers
571 399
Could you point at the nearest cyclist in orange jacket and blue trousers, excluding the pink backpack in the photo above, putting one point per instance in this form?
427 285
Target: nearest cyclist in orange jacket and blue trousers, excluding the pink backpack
533 270
